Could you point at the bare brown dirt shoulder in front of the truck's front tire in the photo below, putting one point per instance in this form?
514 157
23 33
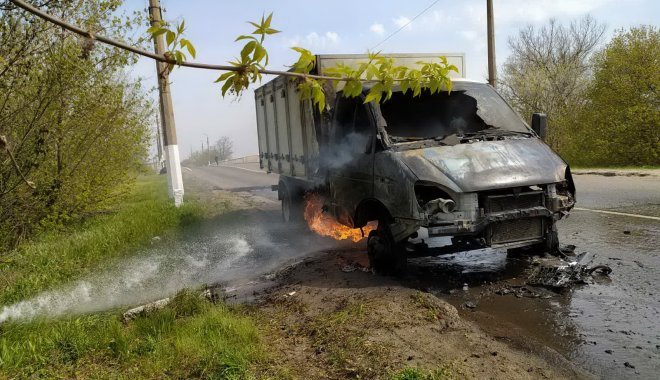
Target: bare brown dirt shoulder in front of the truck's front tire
329 317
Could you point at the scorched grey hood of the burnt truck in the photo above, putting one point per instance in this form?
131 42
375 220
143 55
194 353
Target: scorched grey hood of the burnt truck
487 165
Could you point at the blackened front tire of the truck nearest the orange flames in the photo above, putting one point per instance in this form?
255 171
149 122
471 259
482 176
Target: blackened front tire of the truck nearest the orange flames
385 255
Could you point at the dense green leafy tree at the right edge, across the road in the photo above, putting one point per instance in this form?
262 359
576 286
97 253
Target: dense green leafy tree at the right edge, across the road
620 124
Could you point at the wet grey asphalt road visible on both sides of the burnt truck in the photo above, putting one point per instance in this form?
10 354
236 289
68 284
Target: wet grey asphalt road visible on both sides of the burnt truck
610 327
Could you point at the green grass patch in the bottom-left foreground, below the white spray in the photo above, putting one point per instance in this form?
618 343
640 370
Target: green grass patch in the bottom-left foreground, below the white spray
191 337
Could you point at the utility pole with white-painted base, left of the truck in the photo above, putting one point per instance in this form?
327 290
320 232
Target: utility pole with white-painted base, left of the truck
174 178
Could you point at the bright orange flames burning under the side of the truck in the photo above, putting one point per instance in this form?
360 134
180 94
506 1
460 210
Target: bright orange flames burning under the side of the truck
325 225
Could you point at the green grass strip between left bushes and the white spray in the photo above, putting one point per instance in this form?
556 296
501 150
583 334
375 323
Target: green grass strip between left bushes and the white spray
58 256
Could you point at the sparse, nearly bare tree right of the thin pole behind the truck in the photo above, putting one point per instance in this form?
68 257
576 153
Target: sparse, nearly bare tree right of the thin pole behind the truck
549 70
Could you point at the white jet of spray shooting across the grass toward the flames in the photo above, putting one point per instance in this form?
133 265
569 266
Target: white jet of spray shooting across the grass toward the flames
213 254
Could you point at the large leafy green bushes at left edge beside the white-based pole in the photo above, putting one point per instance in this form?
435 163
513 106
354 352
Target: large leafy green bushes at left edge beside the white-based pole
73 121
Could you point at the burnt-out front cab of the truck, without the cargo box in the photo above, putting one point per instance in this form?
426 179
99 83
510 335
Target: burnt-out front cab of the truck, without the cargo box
459 163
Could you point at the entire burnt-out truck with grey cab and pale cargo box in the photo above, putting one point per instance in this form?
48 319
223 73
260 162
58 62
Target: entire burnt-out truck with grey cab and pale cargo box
461 164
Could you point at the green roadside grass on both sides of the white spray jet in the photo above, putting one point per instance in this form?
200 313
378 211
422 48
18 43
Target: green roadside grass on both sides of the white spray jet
189 338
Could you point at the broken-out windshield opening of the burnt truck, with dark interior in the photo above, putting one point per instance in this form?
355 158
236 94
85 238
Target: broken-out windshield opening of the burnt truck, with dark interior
470 108
